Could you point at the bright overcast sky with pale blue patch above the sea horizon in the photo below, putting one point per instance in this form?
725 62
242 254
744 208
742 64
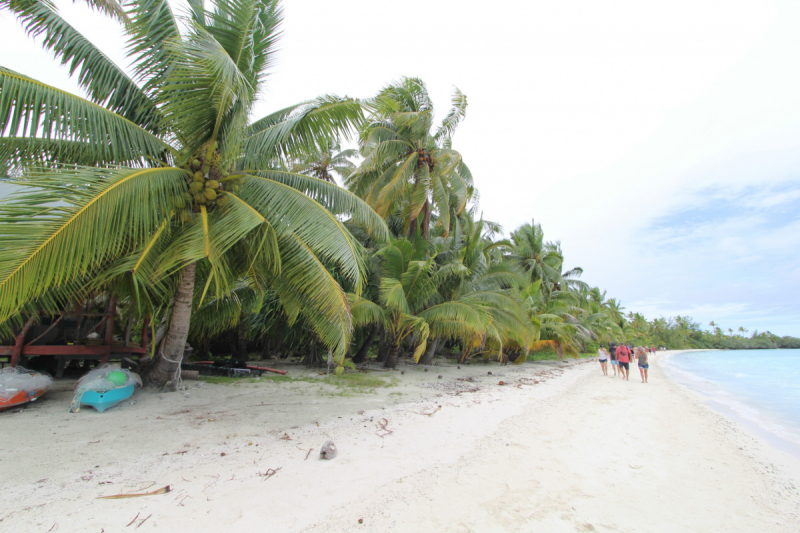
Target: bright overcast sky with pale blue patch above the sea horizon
657 141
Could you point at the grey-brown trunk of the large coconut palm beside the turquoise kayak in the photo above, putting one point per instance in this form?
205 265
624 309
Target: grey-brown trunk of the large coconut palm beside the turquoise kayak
168 359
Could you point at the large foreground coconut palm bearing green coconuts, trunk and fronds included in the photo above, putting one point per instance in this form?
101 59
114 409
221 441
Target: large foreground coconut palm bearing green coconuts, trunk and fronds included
178 178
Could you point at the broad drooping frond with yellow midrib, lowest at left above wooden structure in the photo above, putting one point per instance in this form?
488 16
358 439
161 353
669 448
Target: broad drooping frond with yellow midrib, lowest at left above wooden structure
65 225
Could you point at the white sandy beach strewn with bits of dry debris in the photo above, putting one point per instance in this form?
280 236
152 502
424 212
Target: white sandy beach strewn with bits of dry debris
557 448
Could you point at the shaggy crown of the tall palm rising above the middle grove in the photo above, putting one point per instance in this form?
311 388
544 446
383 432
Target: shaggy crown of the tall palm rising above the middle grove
408 168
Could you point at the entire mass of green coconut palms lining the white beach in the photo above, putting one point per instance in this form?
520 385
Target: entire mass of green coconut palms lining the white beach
159 191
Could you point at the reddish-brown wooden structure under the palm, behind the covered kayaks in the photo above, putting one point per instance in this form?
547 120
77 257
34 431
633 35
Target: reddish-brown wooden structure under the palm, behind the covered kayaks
103 351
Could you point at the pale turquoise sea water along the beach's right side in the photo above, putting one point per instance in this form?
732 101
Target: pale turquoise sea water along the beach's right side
758 387
